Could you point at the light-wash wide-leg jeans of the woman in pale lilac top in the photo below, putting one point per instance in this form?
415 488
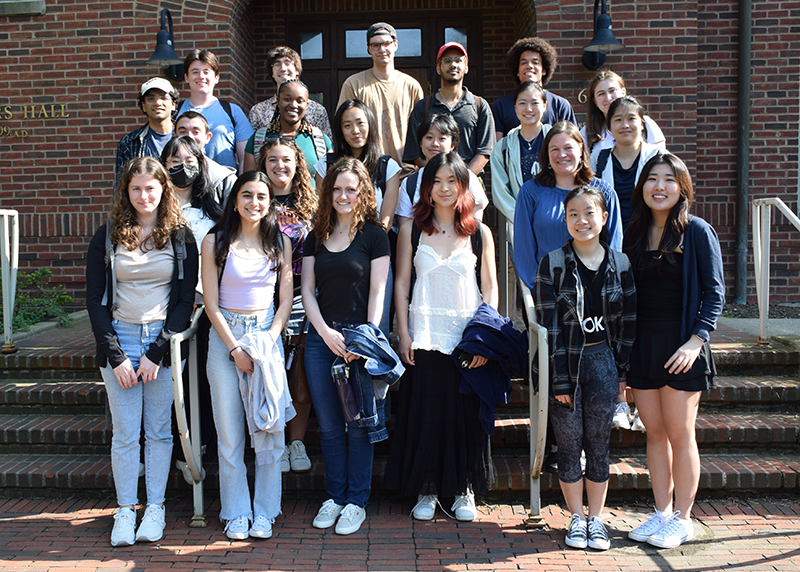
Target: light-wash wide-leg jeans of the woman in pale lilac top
229 417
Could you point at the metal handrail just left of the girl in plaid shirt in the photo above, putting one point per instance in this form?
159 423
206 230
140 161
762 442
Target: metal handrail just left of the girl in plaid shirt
537 408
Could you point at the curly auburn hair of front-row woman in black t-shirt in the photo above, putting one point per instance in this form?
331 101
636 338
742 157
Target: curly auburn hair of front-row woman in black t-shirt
366 209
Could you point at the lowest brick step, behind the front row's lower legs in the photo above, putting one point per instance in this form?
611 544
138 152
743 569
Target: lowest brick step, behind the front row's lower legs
718 472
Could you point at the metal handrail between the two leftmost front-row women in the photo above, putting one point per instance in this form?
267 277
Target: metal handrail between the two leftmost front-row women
191 447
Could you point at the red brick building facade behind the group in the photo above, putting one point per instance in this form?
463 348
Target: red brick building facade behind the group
70 78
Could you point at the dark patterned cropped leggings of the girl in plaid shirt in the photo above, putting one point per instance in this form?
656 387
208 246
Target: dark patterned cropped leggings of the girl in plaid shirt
587 425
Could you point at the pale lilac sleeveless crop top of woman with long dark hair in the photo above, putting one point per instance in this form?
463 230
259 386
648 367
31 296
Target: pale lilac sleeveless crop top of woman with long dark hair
247 283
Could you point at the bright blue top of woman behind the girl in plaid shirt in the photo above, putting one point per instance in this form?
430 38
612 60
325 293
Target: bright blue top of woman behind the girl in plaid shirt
539 225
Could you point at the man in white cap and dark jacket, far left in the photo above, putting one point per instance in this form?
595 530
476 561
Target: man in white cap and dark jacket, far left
157 100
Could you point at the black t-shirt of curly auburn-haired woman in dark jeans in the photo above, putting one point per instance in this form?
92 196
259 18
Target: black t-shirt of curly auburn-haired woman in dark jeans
343 277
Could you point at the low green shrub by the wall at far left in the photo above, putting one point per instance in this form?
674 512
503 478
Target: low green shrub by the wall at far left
38 300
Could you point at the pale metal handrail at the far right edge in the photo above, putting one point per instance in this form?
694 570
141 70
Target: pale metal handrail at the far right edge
762 226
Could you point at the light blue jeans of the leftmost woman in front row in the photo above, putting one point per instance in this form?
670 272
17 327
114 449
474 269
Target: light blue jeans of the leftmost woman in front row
151 401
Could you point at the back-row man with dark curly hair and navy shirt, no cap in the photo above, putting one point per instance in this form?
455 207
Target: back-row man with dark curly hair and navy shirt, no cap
531 59
